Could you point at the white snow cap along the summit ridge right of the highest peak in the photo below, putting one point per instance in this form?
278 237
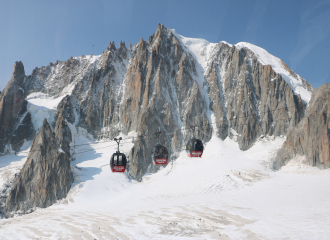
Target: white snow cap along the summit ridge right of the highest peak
203 51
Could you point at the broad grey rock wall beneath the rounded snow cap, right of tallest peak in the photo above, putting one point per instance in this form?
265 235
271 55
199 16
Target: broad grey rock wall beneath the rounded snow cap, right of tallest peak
249 97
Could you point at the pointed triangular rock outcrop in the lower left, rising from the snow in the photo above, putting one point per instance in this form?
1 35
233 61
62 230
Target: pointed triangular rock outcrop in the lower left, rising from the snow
45 177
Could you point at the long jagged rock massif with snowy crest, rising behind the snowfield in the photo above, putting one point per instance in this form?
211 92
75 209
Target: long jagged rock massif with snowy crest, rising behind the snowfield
168 82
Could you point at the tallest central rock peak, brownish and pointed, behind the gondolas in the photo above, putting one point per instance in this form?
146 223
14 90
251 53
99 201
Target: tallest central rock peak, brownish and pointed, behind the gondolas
161 93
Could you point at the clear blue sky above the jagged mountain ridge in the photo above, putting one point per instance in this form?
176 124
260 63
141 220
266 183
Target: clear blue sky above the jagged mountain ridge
40 32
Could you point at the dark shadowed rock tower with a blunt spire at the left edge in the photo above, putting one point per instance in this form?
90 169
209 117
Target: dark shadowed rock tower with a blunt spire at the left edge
13 112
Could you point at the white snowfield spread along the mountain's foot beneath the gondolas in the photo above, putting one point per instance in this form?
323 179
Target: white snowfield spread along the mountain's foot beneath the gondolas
226 194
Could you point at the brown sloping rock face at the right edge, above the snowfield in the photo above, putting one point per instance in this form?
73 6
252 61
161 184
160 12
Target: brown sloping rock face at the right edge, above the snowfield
311 137
